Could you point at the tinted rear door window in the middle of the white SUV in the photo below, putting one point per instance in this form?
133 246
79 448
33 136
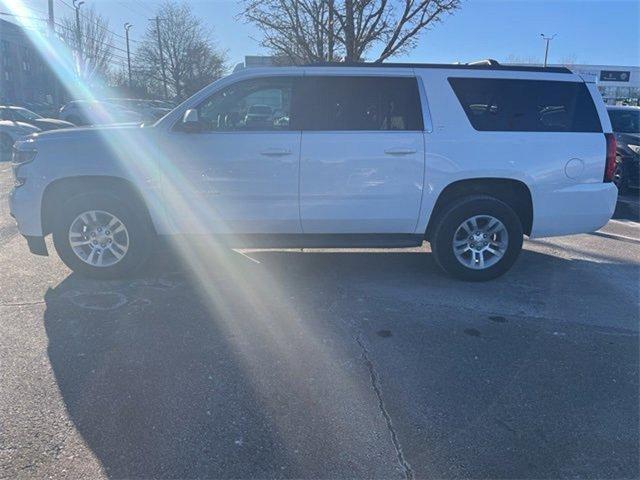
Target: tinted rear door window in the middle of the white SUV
360 103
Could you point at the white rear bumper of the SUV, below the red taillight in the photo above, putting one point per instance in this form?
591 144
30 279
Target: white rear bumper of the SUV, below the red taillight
575 209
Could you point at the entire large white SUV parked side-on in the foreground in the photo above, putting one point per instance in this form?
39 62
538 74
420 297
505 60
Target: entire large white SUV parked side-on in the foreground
467 157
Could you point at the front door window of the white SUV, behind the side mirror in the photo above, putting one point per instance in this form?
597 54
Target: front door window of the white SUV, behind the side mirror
258 104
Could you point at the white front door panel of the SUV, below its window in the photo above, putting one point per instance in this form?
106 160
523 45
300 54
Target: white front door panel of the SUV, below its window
239 182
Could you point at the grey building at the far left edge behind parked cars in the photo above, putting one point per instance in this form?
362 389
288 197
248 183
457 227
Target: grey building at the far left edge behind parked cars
25 78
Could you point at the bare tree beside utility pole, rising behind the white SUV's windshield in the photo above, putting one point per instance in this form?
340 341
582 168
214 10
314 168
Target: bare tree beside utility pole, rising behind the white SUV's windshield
191 59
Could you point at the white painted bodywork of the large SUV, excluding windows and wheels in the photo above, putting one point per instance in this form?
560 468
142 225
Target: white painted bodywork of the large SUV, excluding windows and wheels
330 182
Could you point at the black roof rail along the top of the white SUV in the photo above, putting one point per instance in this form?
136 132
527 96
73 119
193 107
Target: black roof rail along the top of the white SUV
488 64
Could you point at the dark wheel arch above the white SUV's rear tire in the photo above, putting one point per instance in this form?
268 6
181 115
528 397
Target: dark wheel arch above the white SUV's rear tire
514 193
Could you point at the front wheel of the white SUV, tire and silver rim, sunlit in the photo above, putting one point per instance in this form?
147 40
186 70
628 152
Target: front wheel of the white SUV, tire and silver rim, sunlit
101 236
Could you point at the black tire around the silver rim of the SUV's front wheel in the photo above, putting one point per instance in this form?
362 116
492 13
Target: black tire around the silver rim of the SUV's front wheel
140 234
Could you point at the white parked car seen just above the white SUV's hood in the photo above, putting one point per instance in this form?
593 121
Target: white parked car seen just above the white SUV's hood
93 112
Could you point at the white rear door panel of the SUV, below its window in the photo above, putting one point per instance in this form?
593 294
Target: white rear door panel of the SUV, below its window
361 182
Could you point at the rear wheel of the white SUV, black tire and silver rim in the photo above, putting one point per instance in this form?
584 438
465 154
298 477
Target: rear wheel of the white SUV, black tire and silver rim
477 238
